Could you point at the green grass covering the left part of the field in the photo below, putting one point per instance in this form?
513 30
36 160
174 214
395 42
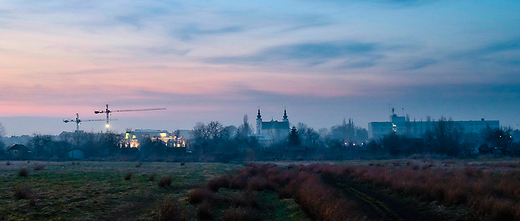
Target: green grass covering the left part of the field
99 190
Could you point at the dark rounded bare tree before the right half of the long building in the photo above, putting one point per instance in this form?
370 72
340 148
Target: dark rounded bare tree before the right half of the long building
446 137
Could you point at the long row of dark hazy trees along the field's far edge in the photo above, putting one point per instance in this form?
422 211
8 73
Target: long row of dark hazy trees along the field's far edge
214 140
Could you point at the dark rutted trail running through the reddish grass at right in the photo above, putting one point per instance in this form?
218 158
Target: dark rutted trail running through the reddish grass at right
379 206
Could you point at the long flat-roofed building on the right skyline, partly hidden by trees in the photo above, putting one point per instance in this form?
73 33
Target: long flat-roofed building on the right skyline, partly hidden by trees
416 129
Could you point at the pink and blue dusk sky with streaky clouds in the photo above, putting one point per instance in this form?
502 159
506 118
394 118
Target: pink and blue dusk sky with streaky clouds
218 60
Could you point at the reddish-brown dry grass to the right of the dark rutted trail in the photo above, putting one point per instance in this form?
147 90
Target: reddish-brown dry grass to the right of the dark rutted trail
492 193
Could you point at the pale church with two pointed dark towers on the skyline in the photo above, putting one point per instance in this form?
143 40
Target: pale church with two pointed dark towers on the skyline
273 130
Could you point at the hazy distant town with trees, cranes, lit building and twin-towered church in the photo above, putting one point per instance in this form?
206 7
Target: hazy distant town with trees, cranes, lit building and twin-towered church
271 140
